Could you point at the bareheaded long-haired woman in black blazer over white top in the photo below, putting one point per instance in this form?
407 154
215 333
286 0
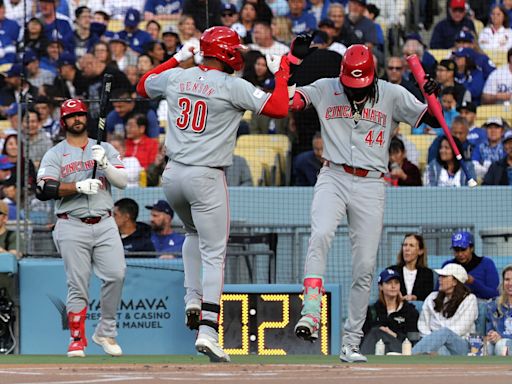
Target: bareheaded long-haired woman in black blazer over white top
416 279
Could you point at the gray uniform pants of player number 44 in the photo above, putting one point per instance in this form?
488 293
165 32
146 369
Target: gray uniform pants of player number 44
337 194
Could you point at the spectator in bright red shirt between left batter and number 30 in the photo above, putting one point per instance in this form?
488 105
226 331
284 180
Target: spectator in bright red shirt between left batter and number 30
138 144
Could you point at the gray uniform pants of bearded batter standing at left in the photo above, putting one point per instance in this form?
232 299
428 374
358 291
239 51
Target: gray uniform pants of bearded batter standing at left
92 247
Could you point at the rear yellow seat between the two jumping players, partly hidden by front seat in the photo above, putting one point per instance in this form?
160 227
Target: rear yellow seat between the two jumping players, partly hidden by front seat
280 144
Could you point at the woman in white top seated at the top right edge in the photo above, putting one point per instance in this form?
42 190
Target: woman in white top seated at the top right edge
497 35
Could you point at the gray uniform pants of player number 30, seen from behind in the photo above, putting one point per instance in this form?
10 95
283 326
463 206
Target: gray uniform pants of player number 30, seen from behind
199 196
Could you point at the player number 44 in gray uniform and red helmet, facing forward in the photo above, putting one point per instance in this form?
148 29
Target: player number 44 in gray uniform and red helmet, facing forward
357 112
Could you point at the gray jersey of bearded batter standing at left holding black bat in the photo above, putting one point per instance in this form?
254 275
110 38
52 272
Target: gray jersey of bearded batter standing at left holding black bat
69 164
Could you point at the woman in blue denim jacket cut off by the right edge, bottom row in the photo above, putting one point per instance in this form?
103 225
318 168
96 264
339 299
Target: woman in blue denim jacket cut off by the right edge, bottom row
498 324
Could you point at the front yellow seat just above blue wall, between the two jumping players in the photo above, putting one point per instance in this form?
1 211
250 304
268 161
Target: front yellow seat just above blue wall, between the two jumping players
262 163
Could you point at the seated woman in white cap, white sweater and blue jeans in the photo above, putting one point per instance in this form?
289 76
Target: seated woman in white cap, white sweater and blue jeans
448 316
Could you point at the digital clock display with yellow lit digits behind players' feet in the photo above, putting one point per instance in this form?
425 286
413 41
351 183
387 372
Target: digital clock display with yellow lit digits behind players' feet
263 324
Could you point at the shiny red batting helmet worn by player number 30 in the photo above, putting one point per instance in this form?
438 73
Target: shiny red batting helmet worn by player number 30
224 44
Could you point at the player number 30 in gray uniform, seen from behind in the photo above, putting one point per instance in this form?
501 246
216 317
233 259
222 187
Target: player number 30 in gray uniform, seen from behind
205 106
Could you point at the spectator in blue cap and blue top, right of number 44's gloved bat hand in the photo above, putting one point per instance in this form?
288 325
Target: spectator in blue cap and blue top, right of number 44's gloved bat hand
468 74
